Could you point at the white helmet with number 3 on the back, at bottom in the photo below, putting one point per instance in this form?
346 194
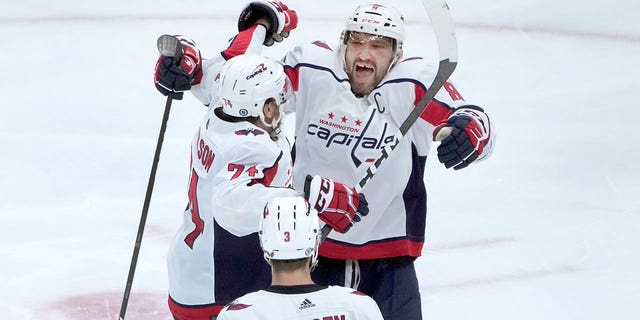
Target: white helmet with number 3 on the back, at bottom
289 230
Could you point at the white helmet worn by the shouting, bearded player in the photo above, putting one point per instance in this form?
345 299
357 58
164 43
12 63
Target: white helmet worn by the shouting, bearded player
377 19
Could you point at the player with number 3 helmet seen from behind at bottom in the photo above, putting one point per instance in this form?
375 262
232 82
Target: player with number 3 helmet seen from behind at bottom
289 236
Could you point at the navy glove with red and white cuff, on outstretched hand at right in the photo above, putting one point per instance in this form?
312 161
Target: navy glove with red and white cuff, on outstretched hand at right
470 131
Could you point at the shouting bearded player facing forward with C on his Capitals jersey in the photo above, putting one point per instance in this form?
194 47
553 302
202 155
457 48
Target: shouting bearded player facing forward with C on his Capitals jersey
349 100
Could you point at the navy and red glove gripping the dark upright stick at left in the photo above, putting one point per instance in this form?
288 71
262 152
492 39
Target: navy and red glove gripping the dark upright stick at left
174 75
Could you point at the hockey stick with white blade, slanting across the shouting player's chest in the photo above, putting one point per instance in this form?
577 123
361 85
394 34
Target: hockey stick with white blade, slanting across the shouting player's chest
442 22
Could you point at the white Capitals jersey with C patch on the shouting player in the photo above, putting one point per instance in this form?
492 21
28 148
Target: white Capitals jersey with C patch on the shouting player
339 135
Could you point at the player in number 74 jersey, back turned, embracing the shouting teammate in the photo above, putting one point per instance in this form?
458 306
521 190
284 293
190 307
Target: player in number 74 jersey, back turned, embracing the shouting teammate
239 160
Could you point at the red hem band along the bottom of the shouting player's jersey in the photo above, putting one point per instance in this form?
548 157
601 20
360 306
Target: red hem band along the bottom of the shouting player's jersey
385 249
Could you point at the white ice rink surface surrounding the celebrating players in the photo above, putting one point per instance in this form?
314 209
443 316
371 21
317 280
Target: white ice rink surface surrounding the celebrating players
548 228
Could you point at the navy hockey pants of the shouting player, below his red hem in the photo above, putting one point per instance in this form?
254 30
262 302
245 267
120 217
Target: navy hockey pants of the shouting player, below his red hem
391 282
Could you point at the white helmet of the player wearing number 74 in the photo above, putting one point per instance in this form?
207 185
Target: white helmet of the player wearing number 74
247 82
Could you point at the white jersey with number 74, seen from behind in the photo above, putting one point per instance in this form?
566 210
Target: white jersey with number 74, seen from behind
235 169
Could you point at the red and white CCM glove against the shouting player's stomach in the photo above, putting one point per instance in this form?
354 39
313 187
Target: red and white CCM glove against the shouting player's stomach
338 205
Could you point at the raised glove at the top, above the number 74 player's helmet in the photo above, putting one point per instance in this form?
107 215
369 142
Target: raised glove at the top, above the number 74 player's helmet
281 19
